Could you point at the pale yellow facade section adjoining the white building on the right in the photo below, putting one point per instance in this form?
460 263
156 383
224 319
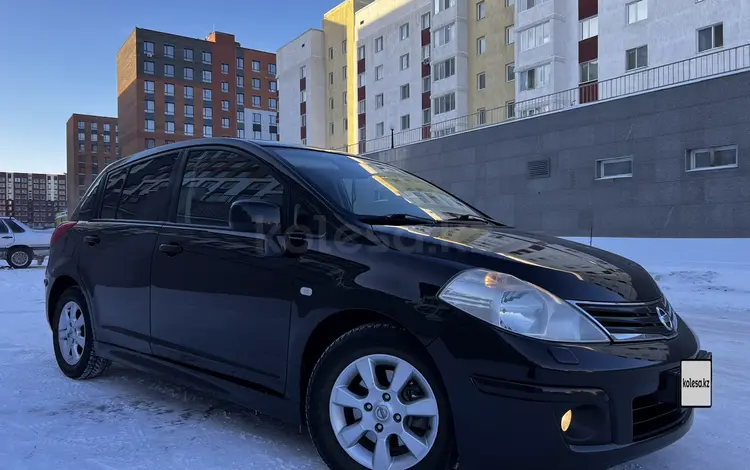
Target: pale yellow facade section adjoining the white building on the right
489 58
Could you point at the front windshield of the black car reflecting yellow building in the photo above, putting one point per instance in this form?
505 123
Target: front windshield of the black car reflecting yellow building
368 188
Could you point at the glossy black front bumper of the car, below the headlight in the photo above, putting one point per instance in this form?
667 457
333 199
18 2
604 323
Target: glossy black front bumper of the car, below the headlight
507 404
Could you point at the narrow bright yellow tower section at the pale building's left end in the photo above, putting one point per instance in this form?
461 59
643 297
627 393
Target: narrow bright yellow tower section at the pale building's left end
340 60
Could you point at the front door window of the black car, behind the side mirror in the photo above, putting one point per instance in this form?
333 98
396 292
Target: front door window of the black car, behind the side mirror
214 179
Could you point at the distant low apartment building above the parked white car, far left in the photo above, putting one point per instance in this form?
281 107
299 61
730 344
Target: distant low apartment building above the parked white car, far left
32 198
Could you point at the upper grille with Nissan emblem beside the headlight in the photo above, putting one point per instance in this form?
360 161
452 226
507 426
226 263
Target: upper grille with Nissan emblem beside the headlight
631 321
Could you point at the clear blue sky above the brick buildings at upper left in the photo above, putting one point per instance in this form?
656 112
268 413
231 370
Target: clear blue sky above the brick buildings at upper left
59 58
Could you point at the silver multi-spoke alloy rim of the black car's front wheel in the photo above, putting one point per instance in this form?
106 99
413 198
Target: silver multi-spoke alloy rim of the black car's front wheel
384 413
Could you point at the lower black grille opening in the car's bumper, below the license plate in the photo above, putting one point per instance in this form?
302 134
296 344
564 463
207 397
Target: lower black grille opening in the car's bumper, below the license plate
653 417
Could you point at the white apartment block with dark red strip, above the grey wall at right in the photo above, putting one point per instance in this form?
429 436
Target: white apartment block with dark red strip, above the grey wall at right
613 47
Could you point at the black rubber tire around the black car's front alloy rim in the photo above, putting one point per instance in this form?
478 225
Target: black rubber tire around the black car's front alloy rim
376 338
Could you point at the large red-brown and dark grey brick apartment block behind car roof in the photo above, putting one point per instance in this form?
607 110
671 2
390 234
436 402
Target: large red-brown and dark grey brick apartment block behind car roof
172 88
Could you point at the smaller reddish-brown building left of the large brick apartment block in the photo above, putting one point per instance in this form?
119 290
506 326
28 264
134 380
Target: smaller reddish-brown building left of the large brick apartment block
92 143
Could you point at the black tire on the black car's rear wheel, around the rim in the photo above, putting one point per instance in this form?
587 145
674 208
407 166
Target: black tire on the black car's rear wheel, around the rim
89 365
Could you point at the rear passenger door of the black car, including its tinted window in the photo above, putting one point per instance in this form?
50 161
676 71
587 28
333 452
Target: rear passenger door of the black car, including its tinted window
115 249
